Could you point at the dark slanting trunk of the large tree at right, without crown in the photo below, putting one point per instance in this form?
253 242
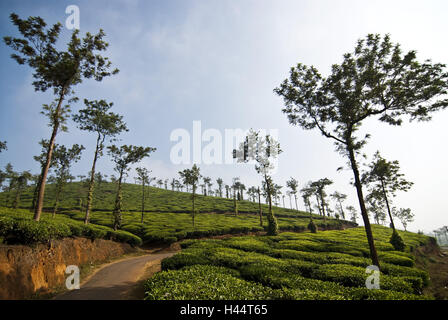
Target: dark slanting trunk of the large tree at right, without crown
365 217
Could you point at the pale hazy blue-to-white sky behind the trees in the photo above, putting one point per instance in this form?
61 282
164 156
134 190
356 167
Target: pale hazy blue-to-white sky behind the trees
218 62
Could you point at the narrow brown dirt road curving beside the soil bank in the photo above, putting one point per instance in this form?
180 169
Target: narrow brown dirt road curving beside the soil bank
115 281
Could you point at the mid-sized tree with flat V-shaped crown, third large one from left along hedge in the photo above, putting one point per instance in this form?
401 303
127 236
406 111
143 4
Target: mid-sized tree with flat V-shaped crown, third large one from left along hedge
123 157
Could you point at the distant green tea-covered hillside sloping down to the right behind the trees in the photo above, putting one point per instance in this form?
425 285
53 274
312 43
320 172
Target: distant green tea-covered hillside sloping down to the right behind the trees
167 216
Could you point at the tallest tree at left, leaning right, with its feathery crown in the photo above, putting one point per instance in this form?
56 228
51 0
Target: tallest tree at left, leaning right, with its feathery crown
58 70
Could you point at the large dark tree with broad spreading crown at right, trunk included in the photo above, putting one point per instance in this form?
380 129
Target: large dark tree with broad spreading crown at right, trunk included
375 80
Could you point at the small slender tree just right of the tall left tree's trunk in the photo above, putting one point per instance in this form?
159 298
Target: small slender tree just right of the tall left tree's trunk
64 158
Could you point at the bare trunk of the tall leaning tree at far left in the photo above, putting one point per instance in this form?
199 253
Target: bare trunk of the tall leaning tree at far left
46 167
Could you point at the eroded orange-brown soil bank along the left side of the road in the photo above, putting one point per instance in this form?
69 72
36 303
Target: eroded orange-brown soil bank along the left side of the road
26 271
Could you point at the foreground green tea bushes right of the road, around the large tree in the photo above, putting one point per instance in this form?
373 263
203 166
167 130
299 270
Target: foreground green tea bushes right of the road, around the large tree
327 265
